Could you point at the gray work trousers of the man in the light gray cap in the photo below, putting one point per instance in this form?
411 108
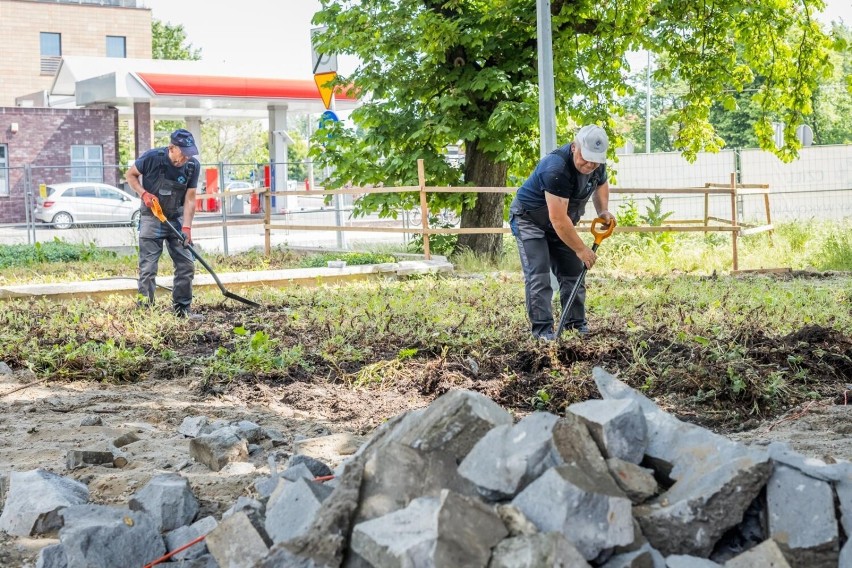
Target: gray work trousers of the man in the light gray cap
542 251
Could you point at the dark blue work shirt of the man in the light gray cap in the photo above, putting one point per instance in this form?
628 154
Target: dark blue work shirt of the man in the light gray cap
556 174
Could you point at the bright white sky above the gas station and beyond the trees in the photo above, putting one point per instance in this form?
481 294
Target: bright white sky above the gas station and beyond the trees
273 37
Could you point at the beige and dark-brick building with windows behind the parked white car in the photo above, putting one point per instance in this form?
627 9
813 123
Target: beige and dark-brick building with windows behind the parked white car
38 142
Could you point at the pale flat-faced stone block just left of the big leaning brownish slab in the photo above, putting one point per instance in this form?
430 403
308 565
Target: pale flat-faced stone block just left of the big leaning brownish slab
291 508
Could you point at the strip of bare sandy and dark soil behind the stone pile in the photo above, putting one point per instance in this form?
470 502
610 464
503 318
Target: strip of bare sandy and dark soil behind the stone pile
41 423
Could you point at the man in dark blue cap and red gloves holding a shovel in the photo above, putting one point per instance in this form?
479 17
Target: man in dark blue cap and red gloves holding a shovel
169 175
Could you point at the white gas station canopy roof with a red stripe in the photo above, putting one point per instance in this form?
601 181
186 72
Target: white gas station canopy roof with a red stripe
182 88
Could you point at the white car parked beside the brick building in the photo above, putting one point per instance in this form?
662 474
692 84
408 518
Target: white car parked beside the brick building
70 203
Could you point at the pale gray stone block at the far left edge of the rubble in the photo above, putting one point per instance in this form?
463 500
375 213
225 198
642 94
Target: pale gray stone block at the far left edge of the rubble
34 500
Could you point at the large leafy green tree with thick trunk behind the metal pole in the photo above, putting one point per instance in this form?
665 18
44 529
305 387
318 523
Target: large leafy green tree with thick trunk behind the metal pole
436 72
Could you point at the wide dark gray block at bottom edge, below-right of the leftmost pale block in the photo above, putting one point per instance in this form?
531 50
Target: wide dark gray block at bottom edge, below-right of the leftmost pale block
96 536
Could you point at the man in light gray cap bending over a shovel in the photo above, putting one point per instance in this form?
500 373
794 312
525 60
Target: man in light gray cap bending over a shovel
543 217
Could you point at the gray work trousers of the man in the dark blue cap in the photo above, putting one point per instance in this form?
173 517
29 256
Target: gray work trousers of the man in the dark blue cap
152 235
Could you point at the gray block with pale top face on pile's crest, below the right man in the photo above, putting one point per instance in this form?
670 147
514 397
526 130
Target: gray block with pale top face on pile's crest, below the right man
618 427
